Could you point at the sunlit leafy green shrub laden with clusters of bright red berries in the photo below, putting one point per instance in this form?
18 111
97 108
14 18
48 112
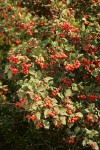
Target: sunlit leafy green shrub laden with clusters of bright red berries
53 67
